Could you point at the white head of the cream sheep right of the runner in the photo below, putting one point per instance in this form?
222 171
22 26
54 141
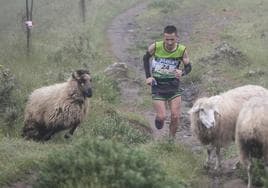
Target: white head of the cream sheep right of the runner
206 109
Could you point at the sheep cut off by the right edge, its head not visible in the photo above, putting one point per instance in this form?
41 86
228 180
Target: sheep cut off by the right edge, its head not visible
252 133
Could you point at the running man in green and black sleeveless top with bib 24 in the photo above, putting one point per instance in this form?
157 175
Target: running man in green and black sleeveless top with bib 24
163 75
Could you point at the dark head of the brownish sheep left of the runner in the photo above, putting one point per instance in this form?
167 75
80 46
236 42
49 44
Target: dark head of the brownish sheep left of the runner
83 79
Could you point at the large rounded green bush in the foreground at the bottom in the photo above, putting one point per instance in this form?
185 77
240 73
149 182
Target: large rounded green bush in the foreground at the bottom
101 163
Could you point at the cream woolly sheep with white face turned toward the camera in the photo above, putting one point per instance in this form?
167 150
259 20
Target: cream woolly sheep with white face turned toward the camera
213 119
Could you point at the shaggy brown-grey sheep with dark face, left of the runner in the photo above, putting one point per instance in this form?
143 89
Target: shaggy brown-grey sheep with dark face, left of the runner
57 107
